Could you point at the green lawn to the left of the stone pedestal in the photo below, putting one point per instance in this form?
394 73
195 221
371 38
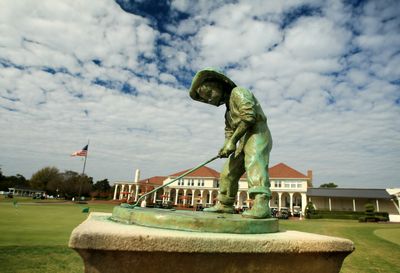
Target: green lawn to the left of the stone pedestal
34 235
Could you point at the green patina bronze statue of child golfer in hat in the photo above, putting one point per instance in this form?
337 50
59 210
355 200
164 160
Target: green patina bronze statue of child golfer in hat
248 141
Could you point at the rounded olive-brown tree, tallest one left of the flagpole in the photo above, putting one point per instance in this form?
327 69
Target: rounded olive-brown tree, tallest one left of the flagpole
47 178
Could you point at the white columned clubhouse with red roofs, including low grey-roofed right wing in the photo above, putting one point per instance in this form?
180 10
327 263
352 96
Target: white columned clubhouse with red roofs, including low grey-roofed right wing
290 189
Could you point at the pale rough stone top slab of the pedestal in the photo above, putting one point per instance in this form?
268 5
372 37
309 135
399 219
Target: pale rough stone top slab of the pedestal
99 232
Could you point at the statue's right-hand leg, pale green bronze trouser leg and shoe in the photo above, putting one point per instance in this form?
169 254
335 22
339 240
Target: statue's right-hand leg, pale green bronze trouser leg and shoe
256 162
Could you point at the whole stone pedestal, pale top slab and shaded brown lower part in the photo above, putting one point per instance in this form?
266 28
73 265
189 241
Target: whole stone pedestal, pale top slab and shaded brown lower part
106 246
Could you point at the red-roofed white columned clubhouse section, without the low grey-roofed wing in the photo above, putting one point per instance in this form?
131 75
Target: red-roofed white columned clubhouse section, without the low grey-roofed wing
288 186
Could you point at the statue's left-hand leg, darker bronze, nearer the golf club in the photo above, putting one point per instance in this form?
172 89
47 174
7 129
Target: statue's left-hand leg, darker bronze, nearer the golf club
229 182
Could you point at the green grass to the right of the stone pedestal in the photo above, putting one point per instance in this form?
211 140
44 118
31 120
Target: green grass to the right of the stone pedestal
372 254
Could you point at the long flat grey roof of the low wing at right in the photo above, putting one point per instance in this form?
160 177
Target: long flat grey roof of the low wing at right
349 193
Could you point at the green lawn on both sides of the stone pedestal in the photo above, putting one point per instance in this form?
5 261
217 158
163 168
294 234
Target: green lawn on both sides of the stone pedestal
34 238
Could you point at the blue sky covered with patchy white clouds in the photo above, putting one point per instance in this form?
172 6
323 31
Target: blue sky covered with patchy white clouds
117 73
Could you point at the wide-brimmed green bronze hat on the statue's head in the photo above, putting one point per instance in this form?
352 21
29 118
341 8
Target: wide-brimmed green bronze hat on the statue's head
209 74
